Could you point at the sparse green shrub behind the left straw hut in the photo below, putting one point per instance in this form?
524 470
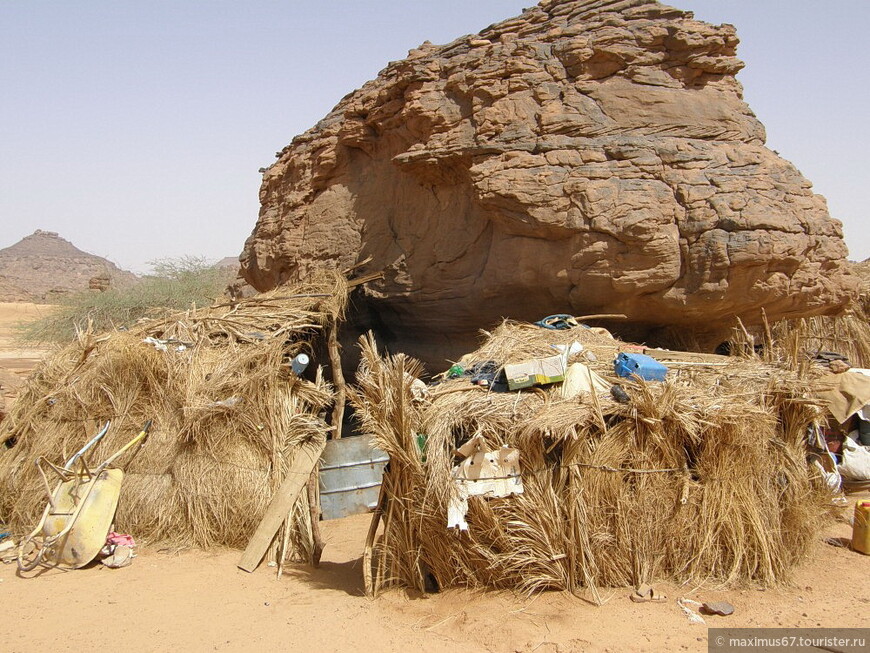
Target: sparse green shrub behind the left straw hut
173 285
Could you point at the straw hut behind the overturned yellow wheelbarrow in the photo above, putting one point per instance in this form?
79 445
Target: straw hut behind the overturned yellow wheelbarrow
228 415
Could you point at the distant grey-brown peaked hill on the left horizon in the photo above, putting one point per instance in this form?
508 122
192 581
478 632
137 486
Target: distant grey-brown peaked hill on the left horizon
43 266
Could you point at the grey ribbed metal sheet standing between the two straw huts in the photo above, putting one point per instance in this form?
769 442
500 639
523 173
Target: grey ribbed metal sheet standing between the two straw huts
350 476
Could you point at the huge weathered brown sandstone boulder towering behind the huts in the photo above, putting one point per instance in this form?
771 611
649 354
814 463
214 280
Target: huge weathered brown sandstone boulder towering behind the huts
588 156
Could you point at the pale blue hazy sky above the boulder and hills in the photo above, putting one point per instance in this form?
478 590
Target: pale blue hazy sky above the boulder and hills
136 129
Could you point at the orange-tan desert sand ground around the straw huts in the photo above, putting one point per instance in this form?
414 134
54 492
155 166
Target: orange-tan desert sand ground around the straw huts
200 601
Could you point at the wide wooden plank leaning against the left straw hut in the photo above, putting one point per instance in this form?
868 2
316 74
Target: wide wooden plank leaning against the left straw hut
297 476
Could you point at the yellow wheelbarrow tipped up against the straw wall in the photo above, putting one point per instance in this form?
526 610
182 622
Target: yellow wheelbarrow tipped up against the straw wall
80 510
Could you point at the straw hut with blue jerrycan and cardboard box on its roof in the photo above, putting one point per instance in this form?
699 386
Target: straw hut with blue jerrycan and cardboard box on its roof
702 478
